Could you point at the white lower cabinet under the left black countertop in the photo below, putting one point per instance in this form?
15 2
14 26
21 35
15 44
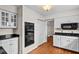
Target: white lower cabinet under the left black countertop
10 45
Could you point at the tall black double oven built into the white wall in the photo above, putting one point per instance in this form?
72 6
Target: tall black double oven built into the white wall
29 33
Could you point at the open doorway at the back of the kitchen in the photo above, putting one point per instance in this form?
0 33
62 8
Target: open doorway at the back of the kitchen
50 31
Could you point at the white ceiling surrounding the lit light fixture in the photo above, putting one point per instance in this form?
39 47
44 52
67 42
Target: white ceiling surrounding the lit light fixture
54 9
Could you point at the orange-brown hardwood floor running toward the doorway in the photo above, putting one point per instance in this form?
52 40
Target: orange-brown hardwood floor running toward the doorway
48 48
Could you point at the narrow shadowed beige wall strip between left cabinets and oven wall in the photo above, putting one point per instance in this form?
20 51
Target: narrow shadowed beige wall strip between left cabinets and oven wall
18 30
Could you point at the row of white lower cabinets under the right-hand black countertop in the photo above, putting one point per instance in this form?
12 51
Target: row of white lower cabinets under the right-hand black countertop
67 42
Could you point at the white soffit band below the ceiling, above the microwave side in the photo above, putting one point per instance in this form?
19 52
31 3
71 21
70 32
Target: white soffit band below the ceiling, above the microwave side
64 13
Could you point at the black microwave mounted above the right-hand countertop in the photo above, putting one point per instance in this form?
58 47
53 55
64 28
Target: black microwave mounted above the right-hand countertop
69 26
